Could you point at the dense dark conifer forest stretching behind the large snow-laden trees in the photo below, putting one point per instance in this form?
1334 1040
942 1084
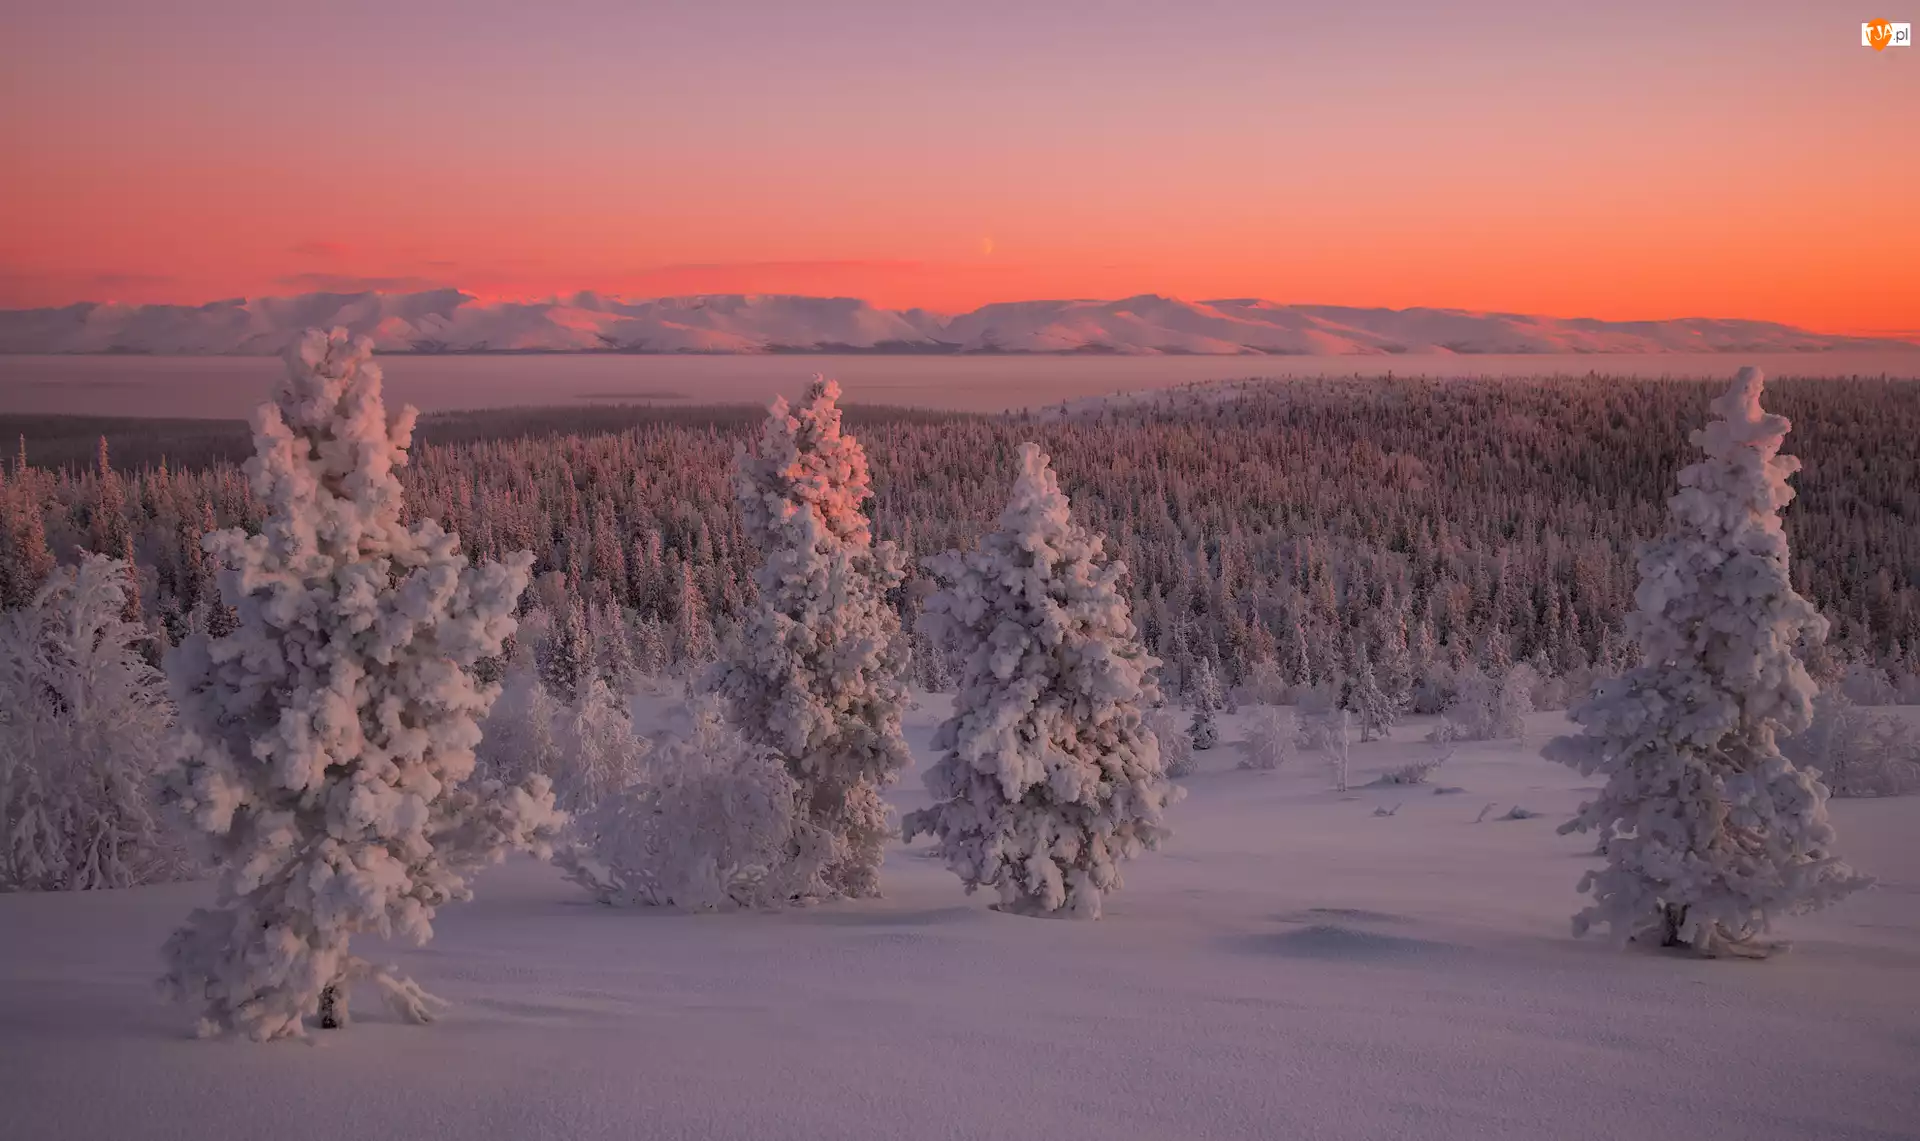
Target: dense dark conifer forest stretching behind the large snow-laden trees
1278 531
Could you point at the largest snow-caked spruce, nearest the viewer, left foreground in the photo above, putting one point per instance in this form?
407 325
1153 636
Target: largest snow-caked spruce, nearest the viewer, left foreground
327 742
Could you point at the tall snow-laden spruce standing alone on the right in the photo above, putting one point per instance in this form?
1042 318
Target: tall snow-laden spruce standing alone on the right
1712 833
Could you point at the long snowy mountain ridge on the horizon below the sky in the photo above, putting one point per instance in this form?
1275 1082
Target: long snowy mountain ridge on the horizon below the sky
769 324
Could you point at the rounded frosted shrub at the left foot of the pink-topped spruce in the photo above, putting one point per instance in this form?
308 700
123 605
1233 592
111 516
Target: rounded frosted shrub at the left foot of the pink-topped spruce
715 823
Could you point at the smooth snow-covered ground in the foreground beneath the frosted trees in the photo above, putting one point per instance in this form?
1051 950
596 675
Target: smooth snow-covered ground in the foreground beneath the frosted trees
1293 967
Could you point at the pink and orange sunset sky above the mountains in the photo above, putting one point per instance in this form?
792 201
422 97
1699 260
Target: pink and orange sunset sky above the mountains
1633 160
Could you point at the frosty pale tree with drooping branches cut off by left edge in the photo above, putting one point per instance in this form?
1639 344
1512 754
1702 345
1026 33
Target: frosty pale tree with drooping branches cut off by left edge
82 727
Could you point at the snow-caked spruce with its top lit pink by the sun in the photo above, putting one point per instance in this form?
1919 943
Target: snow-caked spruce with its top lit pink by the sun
819 668
